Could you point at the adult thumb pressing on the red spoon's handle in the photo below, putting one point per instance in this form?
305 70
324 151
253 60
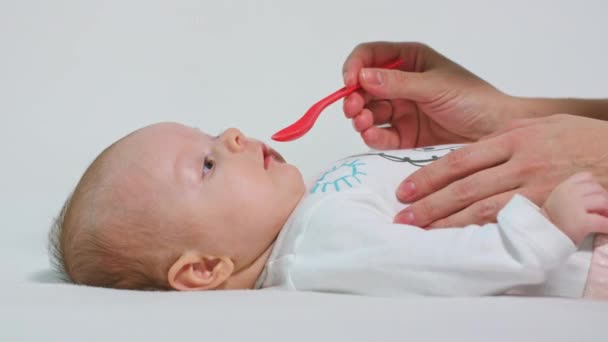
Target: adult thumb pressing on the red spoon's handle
397 84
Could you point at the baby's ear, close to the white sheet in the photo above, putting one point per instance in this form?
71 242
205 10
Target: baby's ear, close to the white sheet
193 271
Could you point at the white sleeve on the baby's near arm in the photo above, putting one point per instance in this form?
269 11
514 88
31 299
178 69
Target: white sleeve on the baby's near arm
356 249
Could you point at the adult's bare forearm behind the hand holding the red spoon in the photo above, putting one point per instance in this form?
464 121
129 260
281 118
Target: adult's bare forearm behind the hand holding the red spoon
525 107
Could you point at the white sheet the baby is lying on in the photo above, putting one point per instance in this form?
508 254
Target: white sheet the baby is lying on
57 312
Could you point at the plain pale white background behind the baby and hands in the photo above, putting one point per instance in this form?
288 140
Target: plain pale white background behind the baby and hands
77 75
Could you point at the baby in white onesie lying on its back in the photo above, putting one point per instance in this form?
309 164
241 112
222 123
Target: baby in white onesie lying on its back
170 207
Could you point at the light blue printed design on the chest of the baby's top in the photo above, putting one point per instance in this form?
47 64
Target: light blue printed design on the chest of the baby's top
342 175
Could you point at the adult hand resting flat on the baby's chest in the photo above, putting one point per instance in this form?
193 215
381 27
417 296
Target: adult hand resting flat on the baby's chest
530 157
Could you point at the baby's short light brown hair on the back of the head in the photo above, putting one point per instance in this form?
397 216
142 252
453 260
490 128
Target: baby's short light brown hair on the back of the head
100 240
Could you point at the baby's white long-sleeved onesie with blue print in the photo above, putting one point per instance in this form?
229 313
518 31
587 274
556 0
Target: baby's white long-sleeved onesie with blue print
341 238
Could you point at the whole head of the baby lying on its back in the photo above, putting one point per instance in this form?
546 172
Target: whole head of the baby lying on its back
170 207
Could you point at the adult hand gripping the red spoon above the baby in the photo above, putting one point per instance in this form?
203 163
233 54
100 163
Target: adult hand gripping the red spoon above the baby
430 100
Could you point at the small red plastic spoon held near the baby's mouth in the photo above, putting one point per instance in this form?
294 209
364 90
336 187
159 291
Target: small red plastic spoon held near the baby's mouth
305 123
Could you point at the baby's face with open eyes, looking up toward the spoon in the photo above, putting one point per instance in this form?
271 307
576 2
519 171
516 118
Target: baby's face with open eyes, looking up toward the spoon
233 193
